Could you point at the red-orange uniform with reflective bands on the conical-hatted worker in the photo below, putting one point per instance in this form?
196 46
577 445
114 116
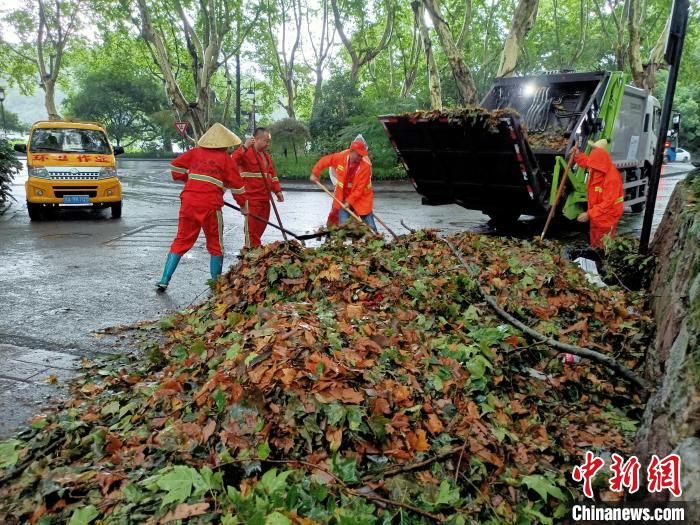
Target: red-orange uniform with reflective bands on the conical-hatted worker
207 174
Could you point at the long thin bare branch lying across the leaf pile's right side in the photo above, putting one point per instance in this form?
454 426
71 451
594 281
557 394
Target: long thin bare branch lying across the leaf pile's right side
558 346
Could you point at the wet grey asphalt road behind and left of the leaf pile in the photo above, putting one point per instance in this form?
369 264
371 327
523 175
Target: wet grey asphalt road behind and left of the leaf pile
64 279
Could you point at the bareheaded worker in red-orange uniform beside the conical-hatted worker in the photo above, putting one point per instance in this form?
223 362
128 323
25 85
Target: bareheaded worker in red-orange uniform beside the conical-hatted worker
260 178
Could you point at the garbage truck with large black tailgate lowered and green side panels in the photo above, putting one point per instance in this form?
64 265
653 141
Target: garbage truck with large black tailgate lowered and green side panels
507 157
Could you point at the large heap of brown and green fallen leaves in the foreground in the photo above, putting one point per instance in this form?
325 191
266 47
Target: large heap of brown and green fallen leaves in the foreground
360 382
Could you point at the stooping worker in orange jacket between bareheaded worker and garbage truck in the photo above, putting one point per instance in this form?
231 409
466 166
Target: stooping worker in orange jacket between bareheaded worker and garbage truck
354 181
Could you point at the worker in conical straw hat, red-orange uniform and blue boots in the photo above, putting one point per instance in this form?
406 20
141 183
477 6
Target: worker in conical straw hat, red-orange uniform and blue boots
207 172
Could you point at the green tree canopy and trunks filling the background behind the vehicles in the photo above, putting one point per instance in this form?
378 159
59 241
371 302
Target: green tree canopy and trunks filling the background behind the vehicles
321 62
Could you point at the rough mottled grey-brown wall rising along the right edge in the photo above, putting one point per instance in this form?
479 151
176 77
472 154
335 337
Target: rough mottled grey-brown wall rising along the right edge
672 418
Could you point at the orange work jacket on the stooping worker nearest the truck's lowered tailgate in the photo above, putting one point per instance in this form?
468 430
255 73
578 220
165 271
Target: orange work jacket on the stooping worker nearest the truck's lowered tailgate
354 186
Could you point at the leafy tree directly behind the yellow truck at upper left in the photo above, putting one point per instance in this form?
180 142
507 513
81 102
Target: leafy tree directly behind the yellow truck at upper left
44 32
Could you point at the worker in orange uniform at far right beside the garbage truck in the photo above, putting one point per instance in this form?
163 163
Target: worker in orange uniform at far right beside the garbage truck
605 192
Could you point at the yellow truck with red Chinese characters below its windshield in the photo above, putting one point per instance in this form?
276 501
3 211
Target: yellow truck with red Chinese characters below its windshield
70 164
